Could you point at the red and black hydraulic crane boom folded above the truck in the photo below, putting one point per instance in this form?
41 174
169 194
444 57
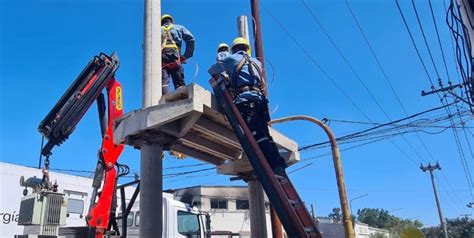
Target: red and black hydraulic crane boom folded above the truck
60 122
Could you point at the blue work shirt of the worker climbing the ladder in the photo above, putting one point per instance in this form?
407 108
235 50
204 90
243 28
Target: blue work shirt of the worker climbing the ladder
229 65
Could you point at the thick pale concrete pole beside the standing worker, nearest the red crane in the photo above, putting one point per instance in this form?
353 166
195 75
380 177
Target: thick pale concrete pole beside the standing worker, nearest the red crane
151 187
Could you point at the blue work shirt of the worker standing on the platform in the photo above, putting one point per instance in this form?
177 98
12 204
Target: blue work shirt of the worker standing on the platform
180 34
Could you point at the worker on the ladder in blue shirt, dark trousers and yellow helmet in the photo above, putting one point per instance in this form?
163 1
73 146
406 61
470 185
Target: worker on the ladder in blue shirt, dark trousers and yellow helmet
245 81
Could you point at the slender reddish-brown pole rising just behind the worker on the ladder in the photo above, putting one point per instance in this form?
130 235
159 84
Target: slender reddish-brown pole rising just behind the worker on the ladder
277 229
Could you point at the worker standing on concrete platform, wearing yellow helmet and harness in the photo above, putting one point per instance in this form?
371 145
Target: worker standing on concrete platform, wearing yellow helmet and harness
172 38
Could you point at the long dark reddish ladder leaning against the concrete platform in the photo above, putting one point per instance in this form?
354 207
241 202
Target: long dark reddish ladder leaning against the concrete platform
291 210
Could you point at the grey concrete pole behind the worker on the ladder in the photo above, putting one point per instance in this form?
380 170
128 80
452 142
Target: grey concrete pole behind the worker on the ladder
258 221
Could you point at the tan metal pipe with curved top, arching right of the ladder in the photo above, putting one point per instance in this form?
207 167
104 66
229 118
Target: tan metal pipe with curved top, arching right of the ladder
346 214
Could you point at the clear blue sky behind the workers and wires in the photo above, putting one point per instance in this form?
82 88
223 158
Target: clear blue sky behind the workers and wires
46 43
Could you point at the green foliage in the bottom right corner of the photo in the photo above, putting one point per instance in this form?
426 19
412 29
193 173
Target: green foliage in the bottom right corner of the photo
457 228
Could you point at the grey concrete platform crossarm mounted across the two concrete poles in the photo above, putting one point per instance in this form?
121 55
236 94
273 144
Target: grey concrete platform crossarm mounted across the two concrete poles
188 121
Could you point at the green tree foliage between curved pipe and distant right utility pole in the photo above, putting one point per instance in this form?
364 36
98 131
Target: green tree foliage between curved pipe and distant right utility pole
381 218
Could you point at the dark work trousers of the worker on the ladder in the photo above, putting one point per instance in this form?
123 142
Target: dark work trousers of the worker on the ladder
255 113
